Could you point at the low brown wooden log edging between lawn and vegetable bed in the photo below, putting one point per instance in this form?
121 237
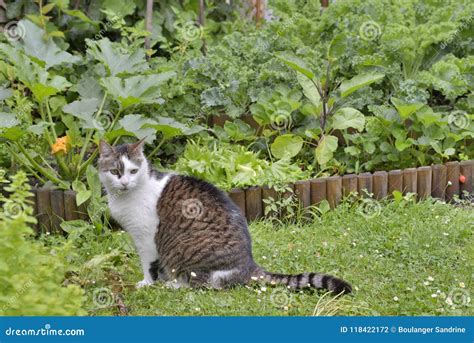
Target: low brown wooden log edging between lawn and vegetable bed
453 179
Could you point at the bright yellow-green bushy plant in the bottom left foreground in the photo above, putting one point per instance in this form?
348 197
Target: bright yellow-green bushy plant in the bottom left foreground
31 274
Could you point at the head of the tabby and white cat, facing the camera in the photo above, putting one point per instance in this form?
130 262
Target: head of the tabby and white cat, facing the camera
122 168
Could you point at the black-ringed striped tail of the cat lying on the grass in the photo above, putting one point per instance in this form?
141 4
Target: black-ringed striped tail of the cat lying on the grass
304 280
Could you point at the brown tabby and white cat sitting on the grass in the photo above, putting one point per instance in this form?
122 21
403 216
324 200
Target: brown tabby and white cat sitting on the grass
186 231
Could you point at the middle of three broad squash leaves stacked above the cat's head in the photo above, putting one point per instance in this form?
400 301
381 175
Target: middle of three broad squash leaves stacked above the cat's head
141 89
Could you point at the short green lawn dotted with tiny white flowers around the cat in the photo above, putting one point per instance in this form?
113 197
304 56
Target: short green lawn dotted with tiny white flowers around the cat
406 259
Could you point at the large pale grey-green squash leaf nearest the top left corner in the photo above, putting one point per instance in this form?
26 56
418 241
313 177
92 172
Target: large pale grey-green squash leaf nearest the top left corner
35 45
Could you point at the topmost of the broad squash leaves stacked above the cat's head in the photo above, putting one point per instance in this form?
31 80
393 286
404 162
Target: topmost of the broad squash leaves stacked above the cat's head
116 61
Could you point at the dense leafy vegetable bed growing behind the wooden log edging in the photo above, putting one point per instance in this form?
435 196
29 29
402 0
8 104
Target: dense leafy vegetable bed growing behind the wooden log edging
360 86
